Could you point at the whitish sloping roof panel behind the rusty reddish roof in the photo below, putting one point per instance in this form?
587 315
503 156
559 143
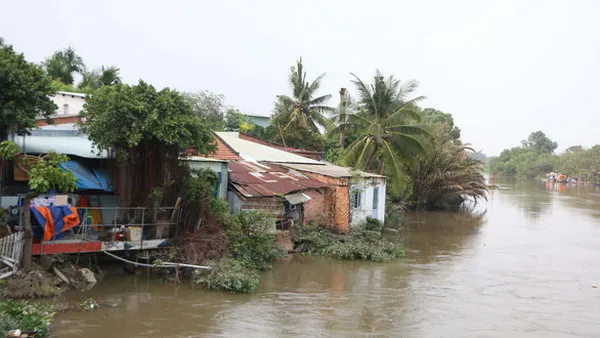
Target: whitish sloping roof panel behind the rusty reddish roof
251 151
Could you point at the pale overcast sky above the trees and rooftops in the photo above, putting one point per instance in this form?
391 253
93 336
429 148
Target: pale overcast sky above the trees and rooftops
502 68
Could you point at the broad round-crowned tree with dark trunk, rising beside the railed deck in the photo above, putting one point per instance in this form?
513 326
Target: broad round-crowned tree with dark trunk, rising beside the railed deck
148 130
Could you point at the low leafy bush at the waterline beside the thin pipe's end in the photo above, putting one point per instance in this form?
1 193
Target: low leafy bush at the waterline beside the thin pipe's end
227 275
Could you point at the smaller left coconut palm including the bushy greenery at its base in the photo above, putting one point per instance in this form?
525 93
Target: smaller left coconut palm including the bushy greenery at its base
298 116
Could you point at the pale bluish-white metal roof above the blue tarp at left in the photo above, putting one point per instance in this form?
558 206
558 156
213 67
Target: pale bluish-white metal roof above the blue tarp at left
65 139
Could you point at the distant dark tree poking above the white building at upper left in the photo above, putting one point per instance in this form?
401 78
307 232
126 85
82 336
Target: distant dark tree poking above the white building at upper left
62 64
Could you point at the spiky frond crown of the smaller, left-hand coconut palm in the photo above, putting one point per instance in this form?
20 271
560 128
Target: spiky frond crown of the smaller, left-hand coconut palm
303 110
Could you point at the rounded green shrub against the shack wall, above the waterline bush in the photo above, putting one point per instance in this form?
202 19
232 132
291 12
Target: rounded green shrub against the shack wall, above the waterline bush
250 241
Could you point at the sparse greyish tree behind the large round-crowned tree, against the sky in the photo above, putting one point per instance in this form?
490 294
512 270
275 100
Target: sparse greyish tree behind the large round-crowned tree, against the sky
210 107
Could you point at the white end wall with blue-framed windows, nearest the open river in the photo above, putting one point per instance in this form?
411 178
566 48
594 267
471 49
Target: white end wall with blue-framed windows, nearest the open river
367 199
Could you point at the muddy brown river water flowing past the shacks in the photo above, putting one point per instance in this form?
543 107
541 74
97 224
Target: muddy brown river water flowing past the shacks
525 263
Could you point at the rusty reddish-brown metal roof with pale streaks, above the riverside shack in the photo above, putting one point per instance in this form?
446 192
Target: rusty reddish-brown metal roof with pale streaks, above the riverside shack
254 179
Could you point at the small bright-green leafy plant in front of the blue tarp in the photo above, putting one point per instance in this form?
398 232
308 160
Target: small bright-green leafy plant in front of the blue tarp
46 175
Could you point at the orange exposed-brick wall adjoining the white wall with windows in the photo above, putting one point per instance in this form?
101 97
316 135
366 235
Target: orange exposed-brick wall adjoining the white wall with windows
337 201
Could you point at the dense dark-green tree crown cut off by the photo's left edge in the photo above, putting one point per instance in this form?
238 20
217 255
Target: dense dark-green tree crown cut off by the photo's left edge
24 91
